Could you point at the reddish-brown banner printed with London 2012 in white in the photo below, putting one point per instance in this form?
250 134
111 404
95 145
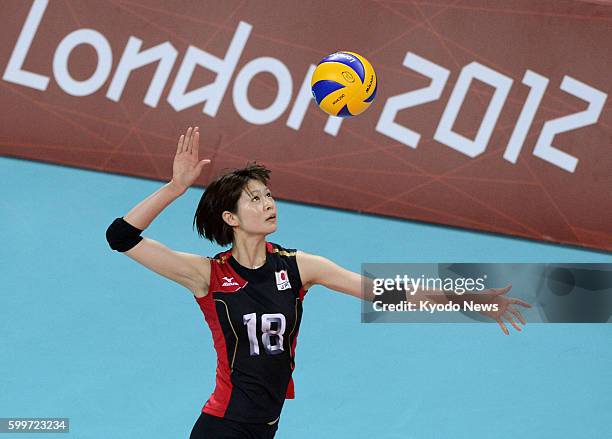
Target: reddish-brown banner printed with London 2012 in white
489 115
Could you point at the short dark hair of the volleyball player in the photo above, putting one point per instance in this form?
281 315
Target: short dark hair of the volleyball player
223 194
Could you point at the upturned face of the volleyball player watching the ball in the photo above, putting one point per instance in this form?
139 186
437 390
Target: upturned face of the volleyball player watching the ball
256 212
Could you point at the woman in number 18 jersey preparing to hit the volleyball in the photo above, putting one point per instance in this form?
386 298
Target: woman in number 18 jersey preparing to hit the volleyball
251 295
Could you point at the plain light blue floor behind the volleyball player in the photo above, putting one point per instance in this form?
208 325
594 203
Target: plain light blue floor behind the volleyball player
86 333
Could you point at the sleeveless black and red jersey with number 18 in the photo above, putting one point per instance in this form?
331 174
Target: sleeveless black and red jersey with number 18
254 316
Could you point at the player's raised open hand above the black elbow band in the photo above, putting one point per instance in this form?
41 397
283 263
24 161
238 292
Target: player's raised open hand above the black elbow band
186 167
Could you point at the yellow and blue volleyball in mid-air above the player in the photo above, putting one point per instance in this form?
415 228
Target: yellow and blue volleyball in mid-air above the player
344 84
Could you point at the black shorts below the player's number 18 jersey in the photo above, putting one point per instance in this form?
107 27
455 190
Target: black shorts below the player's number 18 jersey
213 427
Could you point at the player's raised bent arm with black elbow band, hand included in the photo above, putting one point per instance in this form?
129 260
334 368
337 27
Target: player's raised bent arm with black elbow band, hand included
191 271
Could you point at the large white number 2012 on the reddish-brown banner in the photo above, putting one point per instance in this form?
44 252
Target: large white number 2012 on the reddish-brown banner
544 148
